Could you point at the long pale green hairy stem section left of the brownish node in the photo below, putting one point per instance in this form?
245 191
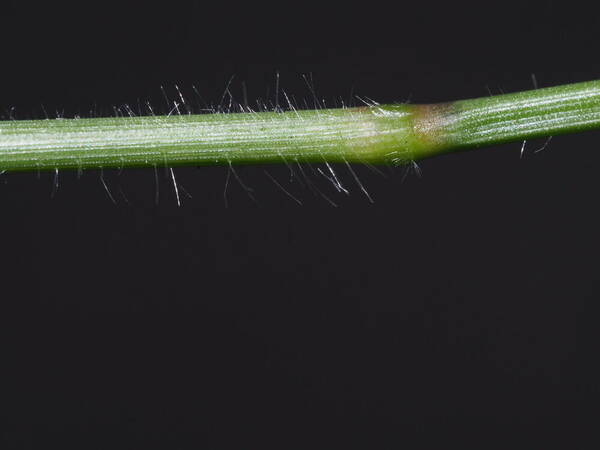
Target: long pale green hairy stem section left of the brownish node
351 135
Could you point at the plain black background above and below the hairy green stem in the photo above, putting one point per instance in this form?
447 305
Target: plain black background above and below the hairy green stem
460 309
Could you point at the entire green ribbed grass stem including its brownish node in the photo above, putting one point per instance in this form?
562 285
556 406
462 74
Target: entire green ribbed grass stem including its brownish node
373 134
